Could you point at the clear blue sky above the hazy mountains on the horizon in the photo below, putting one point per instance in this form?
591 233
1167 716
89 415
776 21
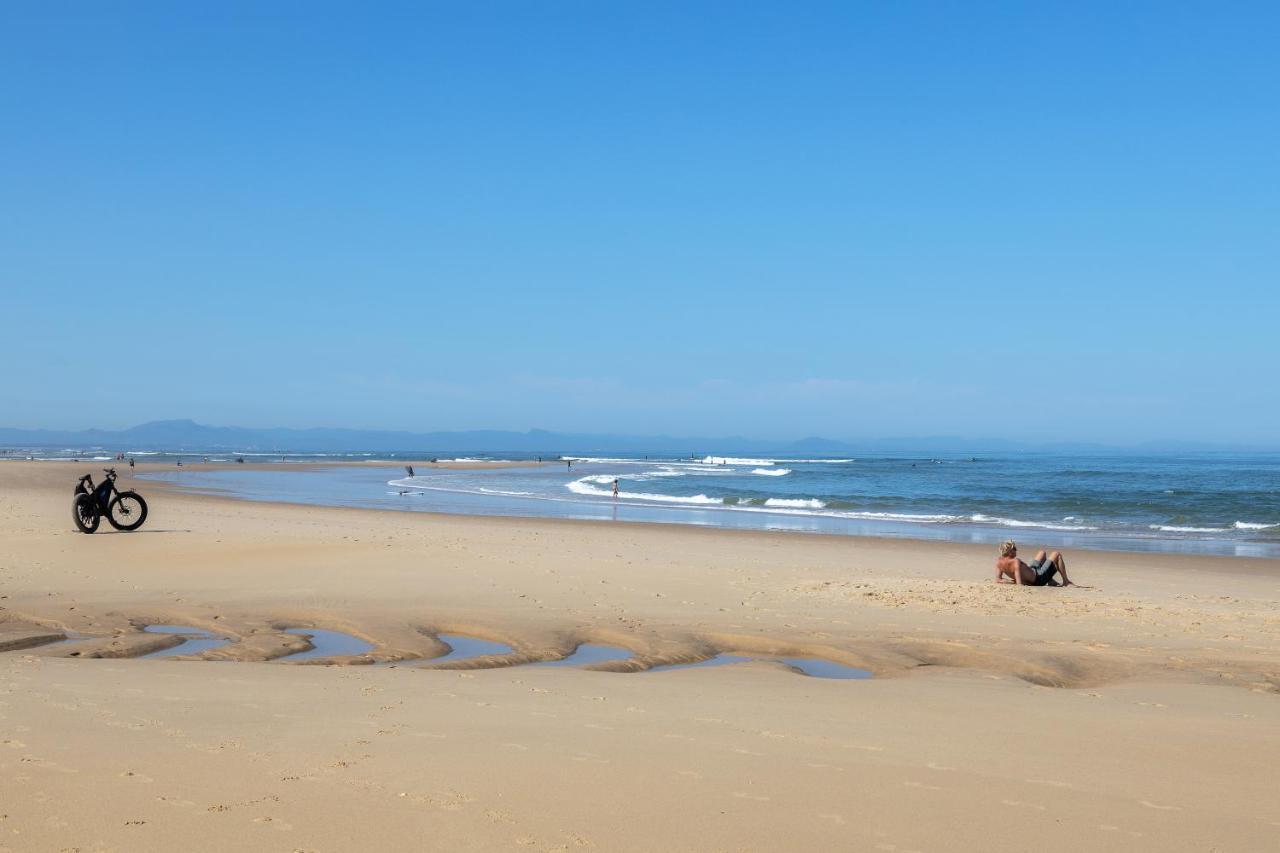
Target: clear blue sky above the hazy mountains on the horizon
775 220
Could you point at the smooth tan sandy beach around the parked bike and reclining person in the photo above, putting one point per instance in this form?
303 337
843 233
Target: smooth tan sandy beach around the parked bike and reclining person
1141 714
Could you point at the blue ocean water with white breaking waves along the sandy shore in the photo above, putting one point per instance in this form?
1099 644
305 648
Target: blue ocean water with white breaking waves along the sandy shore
1223 504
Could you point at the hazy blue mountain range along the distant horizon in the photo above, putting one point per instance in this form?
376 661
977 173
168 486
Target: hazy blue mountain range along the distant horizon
190 436
